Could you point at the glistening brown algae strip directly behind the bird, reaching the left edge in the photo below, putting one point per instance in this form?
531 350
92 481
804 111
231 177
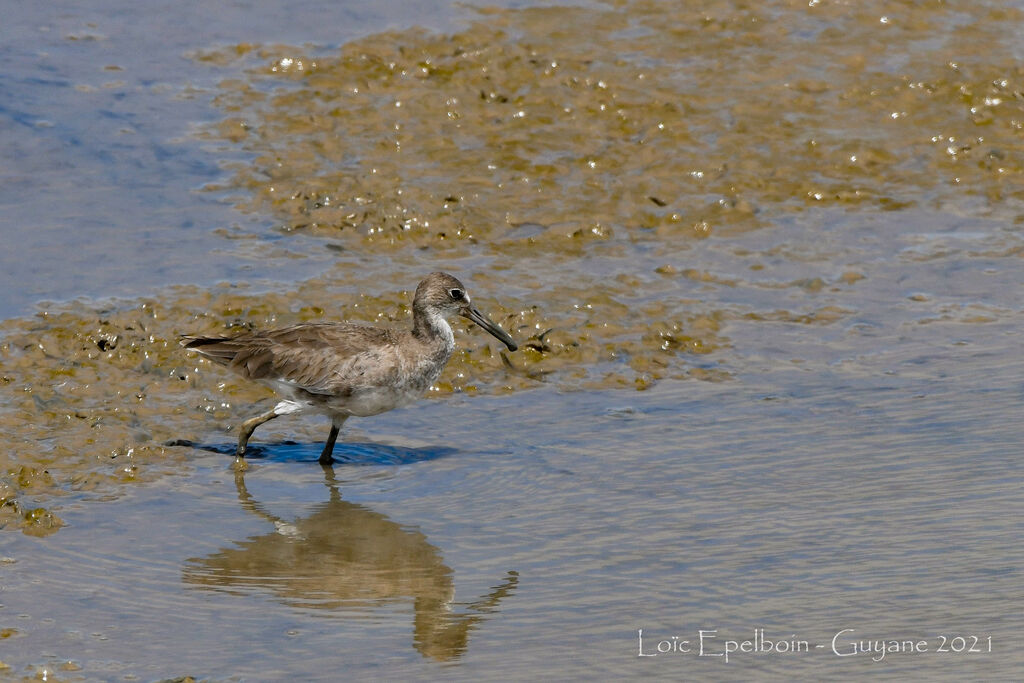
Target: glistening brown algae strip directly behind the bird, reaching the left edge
99 396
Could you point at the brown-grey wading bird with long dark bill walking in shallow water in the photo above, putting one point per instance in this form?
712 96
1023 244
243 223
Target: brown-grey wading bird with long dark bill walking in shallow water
346 369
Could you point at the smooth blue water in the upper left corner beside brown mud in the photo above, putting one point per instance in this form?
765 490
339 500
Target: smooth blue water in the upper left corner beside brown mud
101 175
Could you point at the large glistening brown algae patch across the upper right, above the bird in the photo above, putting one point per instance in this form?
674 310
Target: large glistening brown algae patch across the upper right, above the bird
668 121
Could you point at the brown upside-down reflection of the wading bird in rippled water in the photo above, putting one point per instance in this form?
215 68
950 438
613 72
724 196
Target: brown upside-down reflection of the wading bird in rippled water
347 557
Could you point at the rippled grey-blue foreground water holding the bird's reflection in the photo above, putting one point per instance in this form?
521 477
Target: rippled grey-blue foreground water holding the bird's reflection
802 505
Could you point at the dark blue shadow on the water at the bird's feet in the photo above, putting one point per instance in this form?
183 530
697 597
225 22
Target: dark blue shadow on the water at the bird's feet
364 453
